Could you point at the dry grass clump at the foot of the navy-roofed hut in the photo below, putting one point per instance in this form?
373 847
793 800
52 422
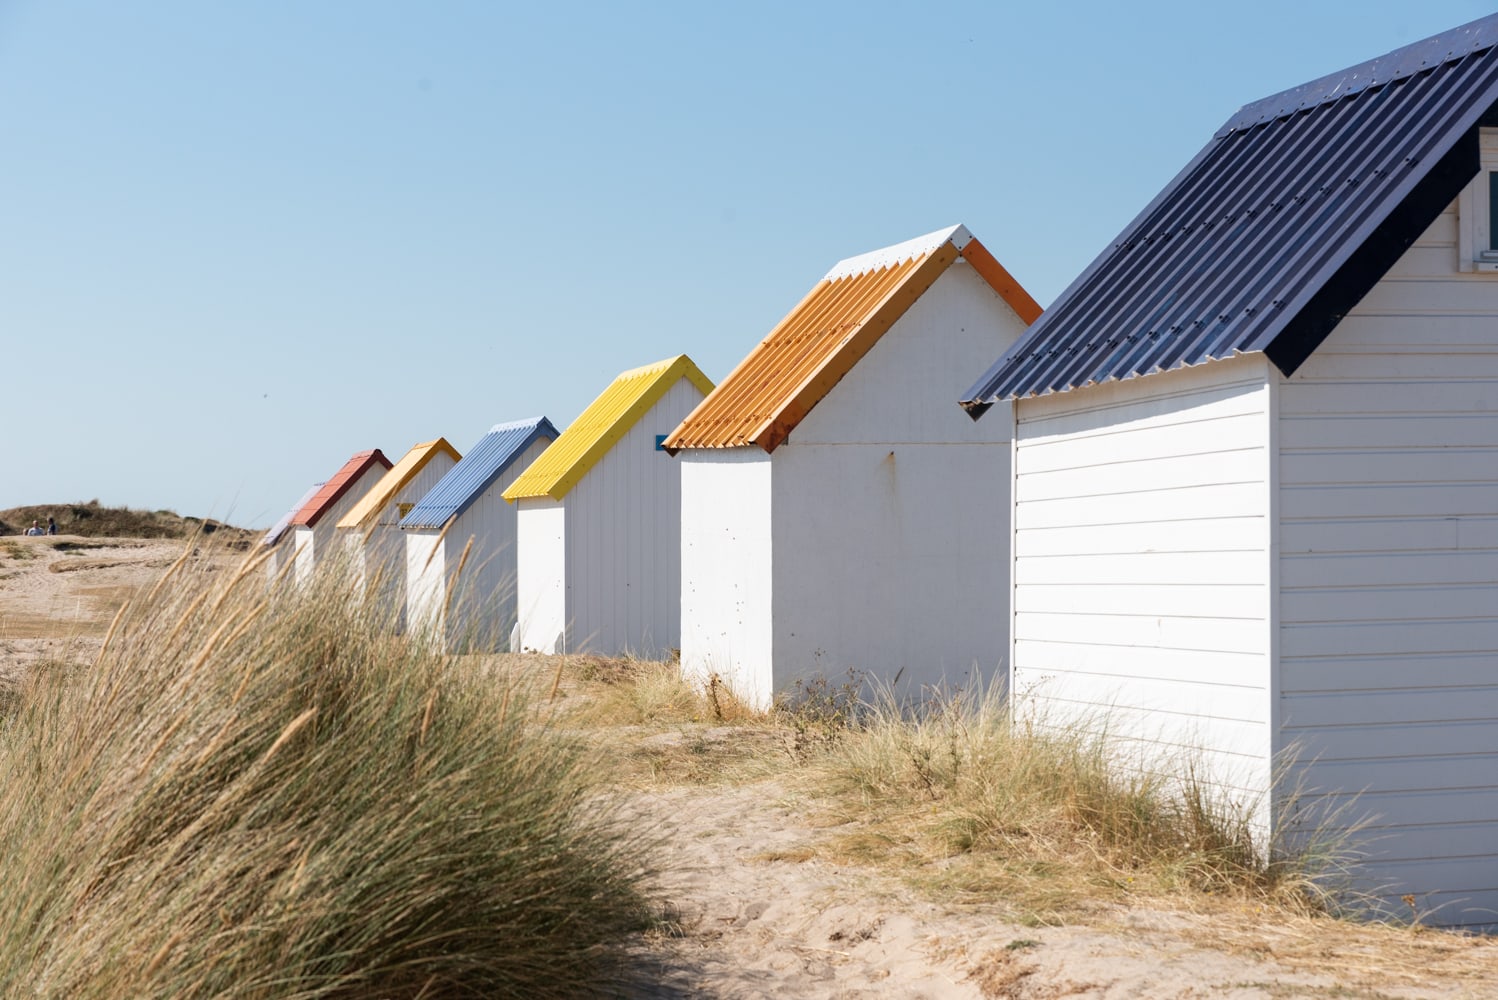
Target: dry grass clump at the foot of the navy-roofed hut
1052 818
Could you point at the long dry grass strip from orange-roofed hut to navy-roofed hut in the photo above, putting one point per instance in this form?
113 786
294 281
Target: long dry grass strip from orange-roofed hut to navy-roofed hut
965 803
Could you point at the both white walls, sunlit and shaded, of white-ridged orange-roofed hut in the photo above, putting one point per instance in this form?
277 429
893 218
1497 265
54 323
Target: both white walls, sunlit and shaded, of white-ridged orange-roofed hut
888 520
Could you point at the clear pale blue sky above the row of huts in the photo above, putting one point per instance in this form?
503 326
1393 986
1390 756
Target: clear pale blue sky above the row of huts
242 242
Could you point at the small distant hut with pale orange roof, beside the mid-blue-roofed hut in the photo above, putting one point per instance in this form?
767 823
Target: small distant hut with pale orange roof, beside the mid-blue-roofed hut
371 529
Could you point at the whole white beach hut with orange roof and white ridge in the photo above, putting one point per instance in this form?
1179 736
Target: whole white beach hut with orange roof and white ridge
838 508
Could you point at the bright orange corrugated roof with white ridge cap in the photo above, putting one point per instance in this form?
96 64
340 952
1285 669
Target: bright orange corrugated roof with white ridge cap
828 335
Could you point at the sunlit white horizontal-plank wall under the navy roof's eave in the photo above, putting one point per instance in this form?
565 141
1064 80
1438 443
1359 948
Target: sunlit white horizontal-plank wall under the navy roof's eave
1142 561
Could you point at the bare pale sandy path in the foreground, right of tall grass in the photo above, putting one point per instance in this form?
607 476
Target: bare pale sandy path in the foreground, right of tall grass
805 930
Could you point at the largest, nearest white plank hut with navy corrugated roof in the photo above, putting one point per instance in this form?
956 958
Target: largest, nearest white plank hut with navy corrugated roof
1256 493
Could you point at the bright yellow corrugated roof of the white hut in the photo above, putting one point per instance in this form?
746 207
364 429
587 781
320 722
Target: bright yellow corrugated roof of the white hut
600 427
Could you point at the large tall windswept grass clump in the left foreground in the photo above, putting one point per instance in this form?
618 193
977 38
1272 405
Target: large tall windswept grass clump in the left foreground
273 797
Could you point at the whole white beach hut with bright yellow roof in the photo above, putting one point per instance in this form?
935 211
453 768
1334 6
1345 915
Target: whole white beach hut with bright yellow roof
600 522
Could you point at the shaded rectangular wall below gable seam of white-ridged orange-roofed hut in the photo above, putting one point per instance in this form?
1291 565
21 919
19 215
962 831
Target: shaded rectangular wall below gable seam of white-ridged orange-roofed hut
888 561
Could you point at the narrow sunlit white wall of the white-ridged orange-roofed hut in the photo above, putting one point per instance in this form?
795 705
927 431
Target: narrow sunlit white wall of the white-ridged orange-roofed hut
726 570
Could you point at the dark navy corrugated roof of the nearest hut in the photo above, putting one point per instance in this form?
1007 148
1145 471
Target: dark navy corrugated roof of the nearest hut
1288 218
